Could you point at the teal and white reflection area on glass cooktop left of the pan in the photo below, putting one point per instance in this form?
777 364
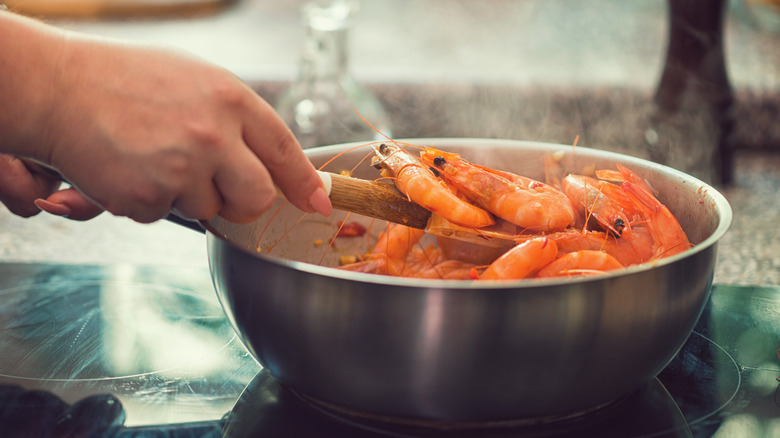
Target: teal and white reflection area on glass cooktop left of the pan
157 341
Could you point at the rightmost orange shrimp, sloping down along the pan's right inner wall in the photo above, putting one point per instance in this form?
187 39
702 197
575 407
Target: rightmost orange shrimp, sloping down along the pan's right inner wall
668 237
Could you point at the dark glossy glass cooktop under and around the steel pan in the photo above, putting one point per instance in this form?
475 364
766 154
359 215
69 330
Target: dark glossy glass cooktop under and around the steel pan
129 351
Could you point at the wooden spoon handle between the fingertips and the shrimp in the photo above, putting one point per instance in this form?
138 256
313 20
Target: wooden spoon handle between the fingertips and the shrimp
374 199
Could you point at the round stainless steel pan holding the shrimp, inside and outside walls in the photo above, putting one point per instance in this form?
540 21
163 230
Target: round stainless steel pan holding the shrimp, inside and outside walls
451 351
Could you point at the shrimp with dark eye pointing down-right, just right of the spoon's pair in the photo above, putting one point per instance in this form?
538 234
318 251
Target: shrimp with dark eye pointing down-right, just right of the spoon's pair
603 201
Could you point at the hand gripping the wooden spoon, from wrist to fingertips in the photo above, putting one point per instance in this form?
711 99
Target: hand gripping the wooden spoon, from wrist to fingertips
140 131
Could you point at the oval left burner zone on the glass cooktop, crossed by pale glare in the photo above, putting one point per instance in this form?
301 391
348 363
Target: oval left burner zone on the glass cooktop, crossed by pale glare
85 330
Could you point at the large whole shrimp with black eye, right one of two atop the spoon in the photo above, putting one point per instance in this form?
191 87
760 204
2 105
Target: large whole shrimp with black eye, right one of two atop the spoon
529 204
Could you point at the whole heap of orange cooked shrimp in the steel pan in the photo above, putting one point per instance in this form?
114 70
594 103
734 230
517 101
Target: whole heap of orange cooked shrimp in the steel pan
633 227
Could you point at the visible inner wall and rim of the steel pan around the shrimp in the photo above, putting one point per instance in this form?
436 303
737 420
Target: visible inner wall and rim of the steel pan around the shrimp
285 233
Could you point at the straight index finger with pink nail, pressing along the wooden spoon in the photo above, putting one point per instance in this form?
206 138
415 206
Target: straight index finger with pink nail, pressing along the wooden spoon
273 142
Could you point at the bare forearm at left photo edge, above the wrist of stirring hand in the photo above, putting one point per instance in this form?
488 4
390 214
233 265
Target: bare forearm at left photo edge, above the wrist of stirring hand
29 57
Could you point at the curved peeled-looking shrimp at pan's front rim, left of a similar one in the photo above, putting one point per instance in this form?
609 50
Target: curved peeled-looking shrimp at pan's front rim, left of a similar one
523 260
